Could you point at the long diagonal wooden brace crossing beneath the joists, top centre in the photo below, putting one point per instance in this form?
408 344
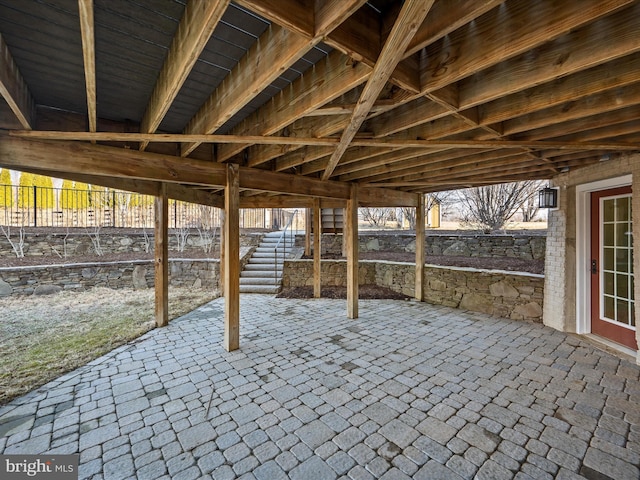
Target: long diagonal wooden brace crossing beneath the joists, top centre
409 19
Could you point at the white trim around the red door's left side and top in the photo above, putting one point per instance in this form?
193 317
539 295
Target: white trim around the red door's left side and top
583 247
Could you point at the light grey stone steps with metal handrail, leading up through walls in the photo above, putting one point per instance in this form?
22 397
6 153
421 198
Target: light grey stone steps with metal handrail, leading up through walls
263 271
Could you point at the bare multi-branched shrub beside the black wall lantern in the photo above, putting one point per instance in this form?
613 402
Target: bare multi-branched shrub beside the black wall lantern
493 206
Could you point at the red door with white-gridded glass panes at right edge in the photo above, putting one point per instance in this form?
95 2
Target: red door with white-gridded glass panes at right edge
612 297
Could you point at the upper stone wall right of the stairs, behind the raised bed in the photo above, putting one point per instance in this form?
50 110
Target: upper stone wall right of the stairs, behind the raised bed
527 247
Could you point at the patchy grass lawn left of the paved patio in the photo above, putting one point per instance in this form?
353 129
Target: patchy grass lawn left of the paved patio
44 337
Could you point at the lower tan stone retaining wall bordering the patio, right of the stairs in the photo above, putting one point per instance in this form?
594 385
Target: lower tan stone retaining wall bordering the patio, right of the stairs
504 294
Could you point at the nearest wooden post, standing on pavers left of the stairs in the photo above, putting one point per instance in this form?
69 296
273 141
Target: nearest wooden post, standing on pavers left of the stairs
232 259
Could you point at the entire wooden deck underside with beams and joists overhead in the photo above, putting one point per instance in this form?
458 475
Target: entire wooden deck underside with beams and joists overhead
311 96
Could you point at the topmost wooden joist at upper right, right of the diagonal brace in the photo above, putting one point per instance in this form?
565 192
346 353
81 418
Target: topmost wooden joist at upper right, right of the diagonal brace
503 33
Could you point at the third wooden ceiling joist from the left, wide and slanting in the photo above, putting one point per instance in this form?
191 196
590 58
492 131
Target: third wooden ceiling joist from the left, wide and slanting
198 22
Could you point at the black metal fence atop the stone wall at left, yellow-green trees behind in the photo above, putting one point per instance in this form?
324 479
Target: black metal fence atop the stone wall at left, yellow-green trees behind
99 207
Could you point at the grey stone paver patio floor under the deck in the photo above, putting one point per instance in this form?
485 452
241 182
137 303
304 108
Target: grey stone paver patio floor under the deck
408 390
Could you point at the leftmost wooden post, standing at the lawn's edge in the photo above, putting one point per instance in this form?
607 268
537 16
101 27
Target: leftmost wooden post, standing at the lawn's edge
161 228
